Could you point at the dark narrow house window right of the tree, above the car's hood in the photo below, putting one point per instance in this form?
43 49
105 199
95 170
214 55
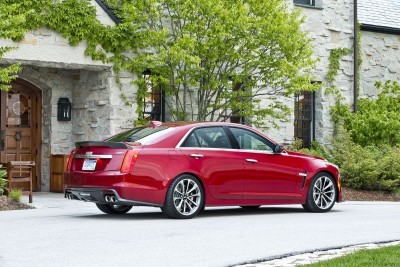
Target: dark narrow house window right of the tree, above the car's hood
304 117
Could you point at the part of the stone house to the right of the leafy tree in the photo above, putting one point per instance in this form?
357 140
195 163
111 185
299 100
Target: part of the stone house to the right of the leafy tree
331 26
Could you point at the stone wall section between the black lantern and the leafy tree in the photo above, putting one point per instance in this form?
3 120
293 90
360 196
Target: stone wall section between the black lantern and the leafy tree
98 109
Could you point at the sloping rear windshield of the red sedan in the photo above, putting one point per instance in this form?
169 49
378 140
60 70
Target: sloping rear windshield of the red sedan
137 134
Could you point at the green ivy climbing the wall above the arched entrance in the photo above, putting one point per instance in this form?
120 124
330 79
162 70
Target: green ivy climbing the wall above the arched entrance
75 20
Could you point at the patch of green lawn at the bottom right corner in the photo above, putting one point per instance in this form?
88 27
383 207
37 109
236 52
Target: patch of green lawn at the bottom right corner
387 256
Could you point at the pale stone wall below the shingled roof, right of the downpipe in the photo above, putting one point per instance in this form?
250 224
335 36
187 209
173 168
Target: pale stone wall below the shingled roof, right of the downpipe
381 60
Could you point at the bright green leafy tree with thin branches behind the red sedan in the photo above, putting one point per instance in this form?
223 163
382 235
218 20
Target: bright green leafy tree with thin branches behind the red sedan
214 57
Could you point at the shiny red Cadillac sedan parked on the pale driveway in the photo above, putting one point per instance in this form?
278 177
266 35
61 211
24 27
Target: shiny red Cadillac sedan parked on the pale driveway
184 167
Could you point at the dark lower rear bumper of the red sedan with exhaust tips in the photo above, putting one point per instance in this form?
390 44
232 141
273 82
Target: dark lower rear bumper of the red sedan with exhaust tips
101 196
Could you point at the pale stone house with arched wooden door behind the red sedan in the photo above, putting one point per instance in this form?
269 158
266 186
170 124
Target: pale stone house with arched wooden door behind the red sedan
55 73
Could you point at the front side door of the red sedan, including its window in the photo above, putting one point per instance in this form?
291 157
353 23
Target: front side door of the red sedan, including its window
268 175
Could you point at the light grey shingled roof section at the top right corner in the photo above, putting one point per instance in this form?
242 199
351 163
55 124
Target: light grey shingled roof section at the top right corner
379 15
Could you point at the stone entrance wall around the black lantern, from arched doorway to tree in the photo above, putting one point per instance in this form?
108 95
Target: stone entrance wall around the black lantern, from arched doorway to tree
97 108
